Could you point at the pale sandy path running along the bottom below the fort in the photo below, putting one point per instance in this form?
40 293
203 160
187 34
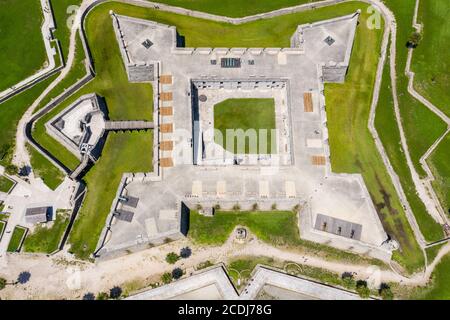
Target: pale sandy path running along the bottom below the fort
63 277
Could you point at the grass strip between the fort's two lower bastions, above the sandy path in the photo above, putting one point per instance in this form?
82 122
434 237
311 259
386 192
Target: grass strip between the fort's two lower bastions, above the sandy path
275 227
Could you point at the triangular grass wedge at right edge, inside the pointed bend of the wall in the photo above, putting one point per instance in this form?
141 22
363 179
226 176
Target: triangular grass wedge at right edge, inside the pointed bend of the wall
440 166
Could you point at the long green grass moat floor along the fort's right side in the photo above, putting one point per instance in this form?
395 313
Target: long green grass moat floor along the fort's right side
353 149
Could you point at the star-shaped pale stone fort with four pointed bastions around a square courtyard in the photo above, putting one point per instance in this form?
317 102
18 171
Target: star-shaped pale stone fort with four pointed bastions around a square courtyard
192 169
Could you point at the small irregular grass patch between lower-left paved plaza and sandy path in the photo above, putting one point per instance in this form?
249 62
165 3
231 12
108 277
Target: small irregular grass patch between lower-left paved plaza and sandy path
44 239
